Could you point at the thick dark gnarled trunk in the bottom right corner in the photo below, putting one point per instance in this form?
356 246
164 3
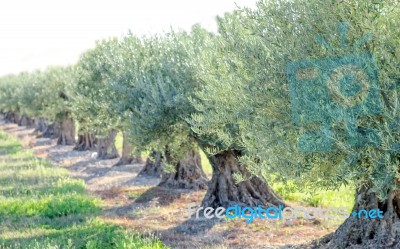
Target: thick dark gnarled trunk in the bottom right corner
371 233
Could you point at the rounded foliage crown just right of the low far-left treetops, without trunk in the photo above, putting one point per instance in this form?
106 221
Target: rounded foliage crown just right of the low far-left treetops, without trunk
92 98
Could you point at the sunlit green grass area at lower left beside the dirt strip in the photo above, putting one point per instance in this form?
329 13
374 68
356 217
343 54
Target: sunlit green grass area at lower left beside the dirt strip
41 207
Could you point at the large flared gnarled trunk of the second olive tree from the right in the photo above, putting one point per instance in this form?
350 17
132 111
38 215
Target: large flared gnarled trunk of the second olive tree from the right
224 192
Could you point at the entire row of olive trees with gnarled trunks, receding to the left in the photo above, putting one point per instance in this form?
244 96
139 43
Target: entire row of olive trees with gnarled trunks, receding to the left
226 93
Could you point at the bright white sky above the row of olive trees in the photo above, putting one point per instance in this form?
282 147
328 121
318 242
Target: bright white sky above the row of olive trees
37 33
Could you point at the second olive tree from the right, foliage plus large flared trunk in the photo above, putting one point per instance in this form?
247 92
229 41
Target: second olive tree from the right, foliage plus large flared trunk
221 109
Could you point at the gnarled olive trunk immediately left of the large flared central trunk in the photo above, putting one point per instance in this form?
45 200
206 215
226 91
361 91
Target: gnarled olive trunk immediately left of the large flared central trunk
188 173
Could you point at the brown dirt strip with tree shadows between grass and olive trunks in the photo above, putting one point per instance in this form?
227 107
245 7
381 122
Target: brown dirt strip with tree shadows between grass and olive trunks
136 202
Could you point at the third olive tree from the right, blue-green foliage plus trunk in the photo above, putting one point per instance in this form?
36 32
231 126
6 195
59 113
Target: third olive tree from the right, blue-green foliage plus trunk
158 103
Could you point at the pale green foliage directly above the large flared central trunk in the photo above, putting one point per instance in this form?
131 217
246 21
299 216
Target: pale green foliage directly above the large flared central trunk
220 104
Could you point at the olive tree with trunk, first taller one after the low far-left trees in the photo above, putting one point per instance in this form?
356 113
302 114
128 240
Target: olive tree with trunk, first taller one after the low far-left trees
92 99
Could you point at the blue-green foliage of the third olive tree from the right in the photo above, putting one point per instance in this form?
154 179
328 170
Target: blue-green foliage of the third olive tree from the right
159 101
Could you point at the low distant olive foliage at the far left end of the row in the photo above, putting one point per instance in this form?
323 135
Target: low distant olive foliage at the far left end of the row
37 94
